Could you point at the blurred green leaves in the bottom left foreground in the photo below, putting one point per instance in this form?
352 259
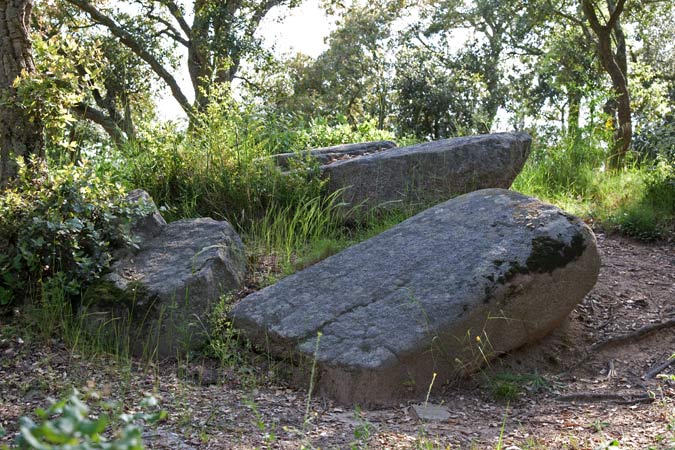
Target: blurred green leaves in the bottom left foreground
66 426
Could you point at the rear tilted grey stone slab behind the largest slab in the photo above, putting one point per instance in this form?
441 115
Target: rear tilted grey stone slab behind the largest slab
426 174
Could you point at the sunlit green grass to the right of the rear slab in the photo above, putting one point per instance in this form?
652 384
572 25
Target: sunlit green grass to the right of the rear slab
638 200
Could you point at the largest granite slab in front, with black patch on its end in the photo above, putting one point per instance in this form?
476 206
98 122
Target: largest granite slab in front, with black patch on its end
429 299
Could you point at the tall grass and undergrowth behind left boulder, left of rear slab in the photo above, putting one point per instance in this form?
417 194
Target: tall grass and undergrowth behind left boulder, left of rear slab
220 168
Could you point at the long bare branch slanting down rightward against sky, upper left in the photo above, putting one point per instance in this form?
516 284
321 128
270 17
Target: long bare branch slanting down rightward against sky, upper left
128 39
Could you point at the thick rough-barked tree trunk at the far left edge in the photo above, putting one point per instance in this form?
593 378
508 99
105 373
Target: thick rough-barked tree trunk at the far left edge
21 131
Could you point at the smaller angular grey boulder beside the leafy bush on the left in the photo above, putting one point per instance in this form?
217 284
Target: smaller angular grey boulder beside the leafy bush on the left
161 296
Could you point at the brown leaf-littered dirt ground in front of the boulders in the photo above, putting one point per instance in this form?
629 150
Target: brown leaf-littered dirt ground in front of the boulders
587 385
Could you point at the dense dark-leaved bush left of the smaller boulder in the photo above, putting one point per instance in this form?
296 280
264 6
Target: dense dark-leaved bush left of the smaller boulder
61 222
